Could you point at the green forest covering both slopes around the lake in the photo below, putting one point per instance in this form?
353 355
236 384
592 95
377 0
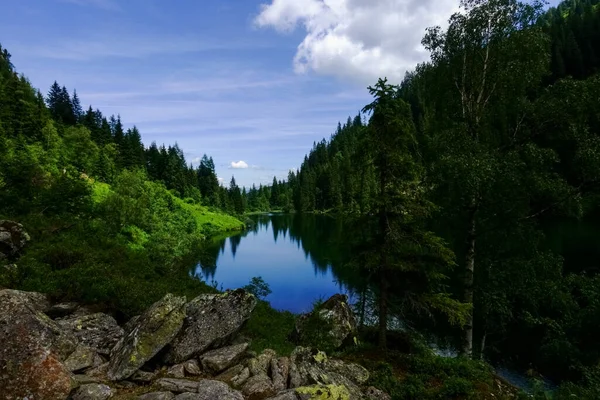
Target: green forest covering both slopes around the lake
450 180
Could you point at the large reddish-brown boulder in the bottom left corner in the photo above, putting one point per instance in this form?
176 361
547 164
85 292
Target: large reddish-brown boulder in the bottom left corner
32 348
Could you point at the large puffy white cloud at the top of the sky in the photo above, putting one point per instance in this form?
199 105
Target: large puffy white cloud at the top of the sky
358 39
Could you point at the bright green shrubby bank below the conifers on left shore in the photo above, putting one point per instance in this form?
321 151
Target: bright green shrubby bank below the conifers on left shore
119 247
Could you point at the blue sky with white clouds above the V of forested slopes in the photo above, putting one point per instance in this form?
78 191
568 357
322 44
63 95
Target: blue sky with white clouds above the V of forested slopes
252 83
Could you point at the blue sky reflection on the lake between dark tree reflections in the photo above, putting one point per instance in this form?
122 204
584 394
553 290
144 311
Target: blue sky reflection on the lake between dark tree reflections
295 281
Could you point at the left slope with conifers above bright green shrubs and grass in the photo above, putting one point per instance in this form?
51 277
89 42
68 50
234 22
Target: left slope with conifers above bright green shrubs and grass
112 223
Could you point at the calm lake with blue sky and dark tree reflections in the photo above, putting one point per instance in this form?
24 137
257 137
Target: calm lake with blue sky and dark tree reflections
294 254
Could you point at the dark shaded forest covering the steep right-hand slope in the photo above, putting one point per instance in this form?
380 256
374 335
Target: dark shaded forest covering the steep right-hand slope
507 134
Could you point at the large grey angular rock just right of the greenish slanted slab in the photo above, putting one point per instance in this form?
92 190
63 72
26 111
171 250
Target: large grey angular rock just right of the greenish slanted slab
212 319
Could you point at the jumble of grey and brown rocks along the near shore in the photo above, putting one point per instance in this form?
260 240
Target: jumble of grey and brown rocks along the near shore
176 349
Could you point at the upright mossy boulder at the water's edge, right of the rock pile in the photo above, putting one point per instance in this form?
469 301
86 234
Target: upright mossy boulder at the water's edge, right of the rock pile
336 312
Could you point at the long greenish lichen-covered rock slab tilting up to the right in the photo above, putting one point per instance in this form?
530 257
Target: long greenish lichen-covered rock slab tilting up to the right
154 329
